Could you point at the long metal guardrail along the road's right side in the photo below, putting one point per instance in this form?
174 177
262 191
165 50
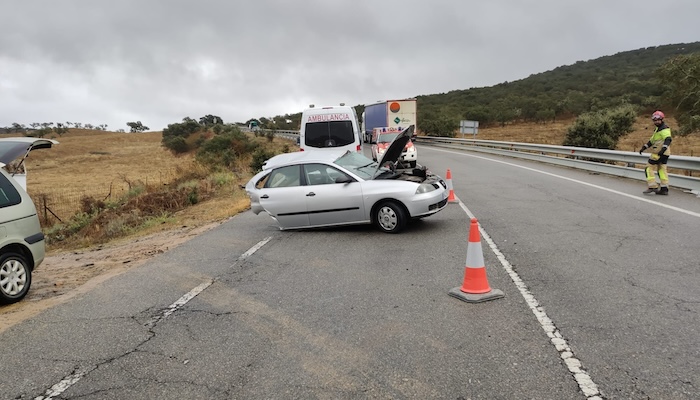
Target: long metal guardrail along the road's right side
577 157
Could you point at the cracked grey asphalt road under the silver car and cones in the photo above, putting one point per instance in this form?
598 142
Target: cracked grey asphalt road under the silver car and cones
602 294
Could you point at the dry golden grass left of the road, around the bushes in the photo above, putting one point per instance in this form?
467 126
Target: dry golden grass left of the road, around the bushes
105 165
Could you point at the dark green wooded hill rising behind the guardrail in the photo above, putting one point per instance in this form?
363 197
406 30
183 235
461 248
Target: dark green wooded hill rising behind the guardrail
551 96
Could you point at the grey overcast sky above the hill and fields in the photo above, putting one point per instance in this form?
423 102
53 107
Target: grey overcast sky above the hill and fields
158 61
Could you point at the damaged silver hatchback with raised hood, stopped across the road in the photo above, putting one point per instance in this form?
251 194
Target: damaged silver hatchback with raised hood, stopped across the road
330 188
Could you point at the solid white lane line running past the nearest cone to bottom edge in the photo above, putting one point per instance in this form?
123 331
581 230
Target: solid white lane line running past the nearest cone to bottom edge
584 381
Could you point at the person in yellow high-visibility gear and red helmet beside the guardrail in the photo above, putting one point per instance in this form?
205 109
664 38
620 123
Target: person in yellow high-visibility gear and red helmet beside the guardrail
660 148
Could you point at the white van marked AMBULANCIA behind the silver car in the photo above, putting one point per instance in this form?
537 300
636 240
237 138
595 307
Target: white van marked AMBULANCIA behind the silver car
331 128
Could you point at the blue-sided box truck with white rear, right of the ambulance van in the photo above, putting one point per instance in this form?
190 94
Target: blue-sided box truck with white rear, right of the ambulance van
389 113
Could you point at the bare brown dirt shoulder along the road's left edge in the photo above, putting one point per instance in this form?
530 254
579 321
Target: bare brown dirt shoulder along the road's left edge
64 275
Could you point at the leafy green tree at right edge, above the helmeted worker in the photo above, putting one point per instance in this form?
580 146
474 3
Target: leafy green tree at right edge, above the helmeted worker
681 75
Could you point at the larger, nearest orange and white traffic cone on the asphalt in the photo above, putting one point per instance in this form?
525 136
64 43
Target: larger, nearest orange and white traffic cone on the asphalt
475 288
